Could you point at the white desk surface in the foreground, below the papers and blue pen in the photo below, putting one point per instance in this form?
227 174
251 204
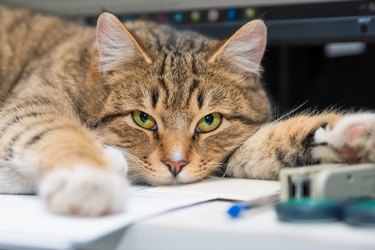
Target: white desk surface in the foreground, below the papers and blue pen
206 226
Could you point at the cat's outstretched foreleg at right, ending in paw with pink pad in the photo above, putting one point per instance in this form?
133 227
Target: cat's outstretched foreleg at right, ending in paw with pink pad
305 140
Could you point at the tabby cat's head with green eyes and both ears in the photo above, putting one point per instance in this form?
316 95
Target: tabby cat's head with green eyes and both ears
178 103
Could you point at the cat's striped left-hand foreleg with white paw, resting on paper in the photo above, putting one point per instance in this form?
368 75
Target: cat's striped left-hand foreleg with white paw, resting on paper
73 173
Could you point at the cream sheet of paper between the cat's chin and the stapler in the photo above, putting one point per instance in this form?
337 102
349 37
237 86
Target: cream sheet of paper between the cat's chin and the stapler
224 188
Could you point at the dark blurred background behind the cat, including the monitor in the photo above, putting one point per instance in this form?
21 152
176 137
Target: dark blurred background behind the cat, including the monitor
321 53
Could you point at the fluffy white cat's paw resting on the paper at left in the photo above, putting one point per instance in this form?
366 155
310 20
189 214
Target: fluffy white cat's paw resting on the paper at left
84 191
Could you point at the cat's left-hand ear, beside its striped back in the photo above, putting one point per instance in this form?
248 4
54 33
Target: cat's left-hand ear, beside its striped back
115 44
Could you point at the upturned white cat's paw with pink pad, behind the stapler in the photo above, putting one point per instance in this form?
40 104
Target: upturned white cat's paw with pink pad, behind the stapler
352 139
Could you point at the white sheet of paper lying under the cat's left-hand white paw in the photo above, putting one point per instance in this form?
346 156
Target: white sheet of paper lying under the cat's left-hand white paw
25 221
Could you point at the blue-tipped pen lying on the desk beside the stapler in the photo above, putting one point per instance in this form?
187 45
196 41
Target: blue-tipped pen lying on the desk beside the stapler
237 209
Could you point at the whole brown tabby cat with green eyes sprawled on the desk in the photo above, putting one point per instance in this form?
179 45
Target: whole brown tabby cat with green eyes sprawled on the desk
85 109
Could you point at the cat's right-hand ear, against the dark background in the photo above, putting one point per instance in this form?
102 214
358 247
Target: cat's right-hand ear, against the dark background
244 50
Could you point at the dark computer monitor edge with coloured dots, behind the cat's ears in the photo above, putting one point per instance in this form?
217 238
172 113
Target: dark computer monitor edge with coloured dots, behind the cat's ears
289 21
